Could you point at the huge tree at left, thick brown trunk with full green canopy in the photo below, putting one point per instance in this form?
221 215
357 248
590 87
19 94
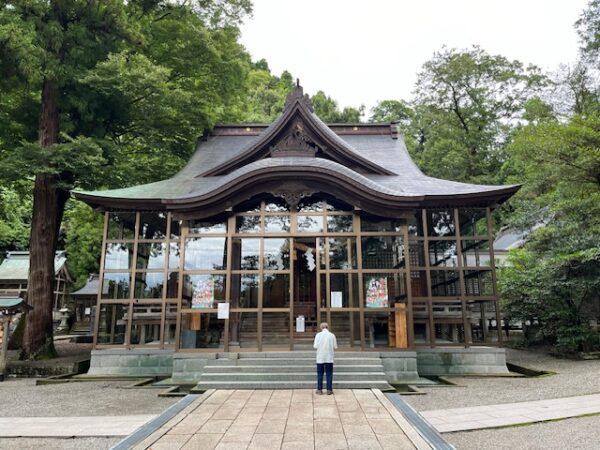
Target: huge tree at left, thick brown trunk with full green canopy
56 58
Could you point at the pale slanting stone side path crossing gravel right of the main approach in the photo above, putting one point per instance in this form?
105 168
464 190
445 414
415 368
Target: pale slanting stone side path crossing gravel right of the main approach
506 414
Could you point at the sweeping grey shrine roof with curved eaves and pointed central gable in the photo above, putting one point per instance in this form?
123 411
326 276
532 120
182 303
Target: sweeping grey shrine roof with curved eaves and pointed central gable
366 162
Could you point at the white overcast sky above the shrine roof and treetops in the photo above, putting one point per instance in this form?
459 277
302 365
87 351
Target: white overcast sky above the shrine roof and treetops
360 52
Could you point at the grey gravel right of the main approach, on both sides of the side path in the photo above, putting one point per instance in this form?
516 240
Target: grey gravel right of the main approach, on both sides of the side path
572 378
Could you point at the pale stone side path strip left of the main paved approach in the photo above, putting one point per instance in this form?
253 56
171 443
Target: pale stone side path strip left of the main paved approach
71 426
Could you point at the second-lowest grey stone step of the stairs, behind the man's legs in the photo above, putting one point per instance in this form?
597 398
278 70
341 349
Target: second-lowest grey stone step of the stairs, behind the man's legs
290 376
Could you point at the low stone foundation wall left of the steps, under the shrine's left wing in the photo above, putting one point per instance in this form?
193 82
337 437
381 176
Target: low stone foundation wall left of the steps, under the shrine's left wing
135 362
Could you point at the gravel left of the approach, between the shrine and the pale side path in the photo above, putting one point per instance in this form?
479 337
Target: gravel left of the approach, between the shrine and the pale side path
98 398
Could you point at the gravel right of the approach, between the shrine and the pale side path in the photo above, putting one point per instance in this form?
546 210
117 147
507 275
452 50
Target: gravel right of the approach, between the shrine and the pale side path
572 378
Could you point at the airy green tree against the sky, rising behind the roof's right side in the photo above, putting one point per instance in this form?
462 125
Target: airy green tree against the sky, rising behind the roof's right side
466 104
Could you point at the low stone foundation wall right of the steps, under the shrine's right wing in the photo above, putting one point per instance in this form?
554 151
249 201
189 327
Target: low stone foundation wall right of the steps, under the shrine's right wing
457 361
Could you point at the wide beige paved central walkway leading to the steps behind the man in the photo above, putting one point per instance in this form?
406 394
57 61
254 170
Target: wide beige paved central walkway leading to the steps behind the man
287 419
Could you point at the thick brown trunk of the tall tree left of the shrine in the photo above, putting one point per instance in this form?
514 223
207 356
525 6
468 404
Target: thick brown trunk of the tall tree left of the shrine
48 206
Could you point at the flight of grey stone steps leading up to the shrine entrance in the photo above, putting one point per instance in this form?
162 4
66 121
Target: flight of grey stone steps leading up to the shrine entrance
290 370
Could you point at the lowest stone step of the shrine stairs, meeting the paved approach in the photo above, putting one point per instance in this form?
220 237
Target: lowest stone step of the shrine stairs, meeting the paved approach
205 385
